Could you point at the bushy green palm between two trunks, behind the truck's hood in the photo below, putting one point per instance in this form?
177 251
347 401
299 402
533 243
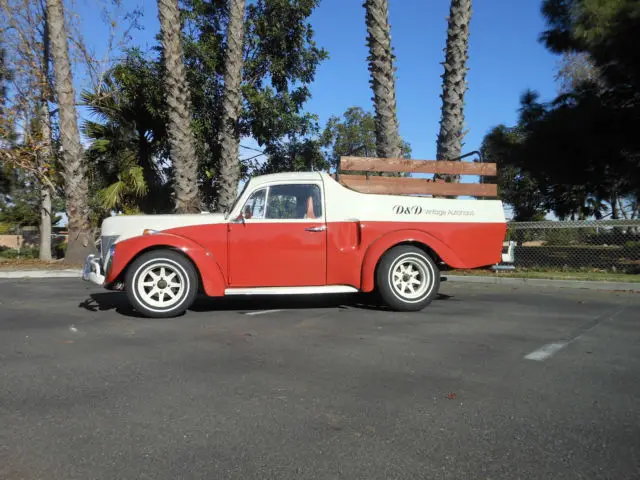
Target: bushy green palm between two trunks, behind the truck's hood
129 155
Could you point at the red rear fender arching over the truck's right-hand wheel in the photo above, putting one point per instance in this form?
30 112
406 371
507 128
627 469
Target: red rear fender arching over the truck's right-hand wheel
384 243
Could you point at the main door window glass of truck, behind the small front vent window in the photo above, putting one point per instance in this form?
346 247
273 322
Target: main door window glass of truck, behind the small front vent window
294 201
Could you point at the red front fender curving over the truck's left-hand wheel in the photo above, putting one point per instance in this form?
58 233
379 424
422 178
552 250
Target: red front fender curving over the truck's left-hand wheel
213 280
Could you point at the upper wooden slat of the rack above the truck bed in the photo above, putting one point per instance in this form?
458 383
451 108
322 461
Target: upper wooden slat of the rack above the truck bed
366 164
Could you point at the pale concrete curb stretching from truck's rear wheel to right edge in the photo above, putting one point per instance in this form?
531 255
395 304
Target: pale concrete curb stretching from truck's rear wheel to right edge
541 282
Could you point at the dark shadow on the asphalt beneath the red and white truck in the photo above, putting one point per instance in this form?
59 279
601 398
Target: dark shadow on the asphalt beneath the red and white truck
117 301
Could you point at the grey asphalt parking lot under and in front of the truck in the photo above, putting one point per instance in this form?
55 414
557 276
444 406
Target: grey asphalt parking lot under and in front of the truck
490 382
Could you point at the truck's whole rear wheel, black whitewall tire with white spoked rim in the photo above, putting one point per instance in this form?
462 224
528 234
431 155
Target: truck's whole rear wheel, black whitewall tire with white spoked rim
401 257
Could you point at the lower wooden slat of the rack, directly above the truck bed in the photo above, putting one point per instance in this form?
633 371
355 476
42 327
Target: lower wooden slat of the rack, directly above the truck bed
416 186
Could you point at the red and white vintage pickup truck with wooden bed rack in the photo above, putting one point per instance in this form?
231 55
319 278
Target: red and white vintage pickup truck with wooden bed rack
307 233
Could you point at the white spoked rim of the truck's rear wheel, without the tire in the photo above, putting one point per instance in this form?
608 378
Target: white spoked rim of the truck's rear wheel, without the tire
410 278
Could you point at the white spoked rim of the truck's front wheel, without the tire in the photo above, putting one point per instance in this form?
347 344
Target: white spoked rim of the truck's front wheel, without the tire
161 285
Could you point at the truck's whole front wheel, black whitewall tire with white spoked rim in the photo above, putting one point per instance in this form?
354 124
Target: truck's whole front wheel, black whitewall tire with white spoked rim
139 283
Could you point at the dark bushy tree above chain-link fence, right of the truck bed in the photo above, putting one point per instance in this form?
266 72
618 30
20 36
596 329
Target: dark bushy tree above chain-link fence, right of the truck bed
556 153
